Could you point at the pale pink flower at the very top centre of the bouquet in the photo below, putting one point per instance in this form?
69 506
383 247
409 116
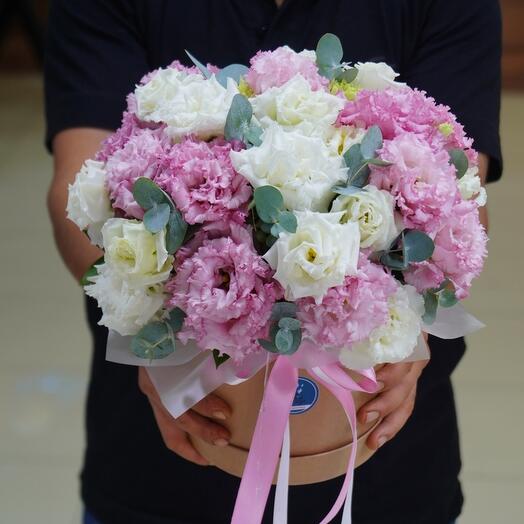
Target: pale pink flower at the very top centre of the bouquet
275 68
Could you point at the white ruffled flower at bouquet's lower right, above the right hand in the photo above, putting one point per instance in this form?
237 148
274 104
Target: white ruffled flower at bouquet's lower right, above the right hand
396 339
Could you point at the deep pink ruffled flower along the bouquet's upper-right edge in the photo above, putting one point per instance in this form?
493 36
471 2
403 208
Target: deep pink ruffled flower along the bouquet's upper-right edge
400 110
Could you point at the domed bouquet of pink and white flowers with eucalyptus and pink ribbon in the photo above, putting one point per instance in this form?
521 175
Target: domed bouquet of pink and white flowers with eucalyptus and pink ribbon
302 211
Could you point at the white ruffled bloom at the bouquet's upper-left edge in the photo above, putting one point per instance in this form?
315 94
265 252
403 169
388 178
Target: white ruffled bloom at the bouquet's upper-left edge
187 103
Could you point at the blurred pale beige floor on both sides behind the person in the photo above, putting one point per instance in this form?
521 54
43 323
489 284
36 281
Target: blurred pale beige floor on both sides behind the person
43 368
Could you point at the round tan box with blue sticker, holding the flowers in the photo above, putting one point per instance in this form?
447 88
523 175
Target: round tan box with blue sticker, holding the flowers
321 438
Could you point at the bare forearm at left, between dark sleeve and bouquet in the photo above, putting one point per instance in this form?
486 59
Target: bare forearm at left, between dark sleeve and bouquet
71 148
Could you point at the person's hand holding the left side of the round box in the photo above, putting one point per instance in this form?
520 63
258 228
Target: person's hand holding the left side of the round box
198 421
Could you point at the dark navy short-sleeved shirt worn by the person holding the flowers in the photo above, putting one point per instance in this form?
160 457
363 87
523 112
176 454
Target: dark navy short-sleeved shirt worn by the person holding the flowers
97 51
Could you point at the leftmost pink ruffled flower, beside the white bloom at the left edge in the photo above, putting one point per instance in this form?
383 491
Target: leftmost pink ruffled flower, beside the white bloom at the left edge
140 156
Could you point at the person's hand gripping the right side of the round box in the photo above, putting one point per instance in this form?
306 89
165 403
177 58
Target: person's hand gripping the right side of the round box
395 402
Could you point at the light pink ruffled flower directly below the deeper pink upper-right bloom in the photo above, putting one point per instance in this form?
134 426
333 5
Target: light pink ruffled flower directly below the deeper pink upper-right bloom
422 181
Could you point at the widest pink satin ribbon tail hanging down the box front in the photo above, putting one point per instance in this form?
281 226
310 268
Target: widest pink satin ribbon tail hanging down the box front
266 444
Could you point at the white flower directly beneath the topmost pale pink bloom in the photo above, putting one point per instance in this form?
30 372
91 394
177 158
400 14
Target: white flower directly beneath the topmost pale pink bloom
294 105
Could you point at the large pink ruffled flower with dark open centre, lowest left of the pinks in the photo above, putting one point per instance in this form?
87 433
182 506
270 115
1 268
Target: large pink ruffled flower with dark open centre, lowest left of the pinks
226 290
